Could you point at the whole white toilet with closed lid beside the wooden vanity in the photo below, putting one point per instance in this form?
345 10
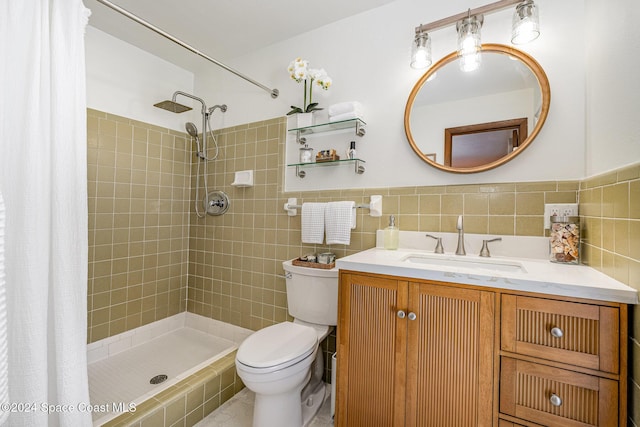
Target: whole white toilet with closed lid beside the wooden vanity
282 363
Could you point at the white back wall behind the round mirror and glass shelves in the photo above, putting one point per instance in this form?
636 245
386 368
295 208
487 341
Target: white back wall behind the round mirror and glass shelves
367 56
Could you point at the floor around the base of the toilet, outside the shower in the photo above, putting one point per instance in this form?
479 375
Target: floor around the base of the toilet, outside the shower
238 412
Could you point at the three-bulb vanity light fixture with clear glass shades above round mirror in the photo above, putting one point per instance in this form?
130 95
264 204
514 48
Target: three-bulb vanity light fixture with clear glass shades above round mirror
525 21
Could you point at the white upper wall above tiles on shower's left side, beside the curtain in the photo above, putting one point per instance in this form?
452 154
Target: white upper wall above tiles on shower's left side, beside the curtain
125 80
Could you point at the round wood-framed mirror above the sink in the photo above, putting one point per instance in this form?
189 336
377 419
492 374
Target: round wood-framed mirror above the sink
467 122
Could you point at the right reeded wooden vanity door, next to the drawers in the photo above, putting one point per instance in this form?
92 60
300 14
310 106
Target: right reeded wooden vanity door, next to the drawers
450 356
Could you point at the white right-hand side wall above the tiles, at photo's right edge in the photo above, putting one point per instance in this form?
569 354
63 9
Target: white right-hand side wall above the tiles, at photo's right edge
613 86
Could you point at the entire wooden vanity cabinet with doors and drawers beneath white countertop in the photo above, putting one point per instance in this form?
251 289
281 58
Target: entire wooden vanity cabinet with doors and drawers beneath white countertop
421 353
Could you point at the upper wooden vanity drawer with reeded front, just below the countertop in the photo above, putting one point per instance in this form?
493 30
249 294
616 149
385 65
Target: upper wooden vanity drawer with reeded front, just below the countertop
578 334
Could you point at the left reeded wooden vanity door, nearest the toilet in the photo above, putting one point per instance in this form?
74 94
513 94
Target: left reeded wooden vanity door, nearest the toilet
371 352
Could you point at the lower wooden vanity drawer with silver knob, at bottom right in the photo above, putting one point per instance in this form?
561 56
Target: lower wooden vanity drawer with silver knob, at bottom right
553 396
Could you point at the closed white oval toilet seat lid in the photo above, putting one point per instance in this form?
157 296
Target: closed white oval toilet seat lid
277 344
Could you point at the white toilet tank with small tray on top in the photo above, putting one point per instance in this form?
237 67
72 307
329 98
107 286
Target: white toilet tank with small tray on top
312 294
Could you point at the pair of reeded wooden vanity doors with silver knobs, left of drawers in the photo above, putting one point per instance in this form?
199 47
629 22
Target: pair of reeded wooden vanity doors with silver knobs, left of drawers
413 353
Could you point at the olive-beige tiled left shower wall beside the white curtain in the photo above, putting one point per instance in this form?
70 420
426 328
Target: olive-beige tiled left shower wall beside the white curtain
138 186
